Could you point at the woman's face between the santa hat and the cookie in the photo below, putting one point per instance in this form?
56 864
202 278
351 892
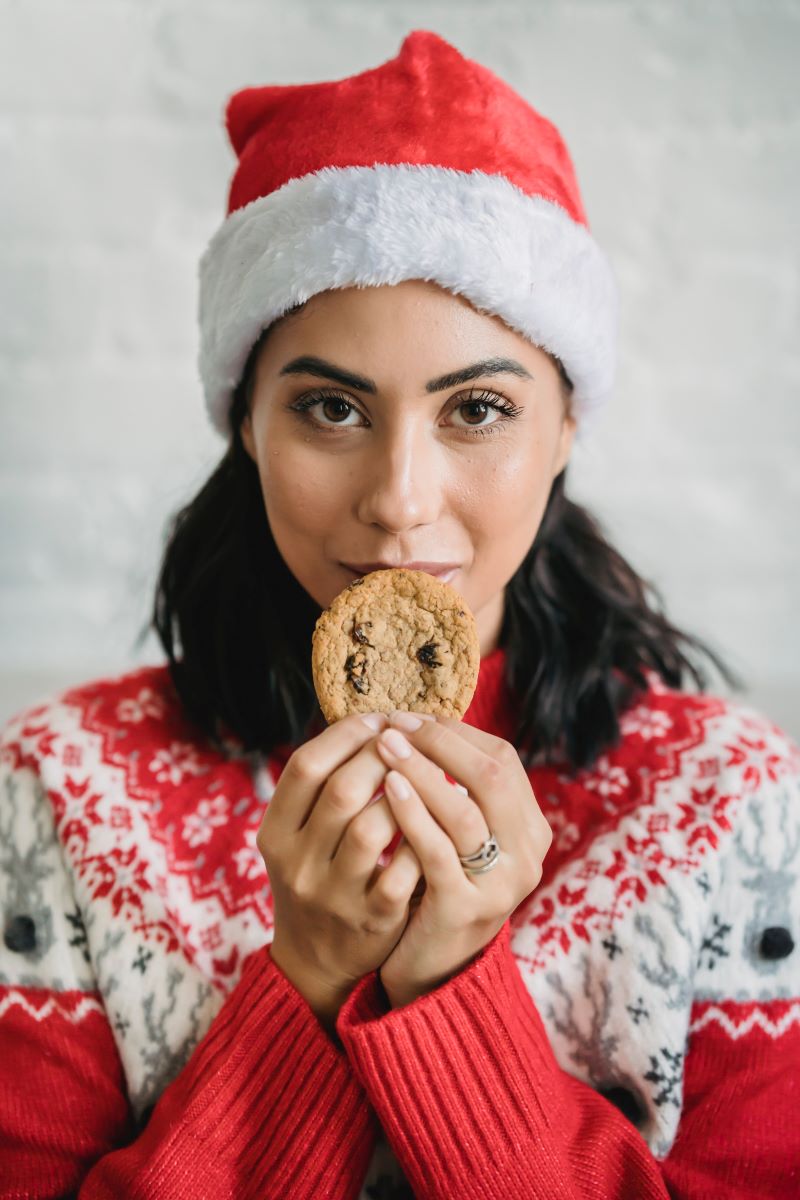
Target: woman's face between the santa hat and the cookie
398 464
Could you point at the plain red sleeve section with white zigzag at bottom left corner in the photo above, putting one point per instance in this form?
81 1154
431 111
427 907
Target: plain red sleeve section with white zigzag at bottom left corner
63 1101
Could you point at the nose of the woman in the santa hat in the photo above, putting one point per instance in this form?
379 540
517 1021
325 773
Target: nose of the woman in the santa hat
401 479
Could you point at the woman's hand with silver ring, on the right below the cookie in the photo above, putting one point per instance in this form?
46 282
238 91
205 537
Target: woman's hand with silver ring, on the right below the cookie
459 914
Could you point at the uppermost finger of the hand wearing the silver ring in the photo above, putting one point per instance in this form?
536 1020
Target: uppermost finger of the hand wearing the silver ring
480 766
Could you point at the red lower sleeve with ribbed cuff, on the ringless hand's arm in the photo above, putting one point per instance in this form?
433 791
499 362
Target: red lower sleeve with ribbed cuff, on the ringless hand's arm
266 1107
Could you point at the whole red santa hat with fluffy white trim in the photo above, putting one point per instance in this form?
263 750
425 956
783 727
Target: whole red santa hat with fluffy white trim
428 167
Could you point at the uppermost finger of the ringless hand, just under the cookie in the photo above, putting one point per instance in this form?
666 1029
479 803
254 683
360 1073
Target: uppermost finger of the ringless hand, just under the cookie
312 765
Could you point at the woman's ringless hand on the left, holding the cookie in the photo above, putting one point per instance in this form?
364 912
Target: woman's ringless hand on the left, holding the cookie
338 914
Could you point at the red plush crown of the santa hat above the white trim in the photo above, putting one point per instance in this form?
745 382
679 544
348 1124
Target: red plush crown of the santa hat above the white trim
428 106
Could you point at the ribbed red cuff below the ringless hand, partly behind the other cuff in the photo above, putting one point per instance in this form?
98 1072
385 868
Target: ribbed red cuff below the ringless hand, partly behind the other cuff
267 1107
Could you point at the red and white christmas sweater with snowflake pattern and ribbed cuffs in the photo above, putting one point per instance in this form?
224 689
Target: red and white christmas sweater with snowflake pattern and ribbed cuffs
633 1031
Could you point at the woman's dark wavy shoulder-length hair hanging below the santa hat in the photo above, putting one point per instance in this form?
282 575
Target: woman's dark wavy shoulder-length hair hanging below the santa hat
581 629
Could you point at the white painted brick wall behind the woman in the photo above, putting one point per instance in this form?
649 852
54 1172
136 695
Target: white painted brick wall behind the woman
684 123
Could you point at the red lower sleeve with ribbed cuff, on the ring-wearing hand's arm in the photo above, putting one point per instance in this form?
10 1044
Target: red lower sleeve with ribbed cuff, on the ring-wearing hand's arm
474 1103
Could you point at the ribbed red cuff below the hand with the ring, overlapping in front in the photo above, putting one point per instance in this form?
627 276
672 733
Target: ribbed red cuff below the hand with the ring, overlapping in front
465 1083
